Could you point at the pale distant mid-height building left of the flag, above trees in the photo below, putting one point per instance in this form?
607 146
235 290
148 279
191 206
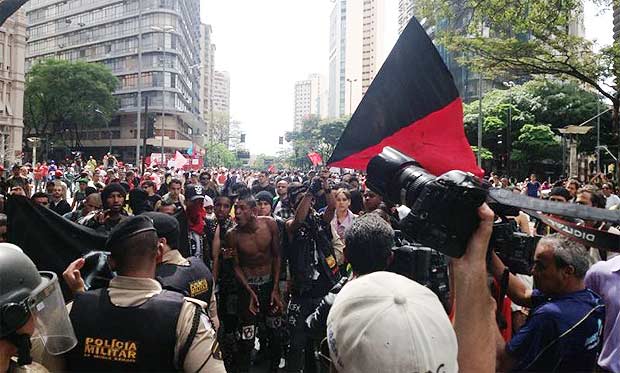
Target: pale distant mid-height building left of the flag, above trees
310 99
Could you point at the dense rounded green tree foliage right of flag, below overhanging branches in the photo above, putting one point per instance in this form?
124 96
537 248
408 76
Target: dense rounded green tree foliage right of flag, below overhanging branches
549 102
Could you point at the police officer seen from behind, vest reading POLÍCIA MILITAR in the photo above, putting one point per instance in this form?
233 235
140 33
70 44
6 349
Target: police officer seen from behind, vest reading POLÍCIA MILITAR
115 327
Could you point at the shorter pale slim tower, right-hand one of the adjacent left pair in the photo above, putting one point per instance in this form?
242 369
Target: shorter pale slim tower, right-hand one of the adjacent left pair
220 129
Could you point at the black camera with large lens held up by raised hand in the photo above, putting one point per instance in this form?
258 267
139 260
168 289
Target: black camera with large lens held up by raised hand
443 212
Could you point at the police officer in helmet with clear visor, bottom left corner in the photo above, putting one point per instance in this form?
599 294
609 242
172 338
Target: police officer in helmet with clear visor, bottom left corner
30 303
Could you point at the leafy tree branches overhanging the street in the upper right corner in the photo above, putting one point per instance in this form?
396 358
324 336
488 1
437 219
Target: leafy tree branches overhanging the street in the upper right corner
523 38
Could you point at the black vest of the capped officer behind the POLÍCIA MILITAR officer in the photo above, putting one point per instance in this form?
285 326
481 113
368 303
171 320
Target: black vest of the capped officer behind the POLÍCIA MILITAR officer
194 281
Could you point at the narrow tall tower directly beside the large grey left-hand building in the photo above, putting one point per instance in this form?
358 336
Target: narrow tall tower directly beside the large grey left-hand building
207 74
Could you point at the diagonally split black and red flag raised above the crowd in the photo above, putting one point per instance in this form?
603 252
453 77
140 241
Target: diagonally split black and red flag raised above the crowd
412 105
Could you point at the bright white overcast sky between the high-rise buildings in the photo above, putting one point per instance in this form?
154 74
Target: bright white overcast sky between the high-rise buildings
267 45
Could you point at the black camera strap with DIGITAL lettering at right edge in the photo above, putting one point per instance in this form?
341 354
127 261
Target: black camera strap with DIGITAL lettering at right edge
582 234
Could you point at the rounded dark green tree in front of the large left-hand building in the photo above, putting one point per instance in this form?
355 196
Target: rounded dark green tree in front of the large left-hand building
63 98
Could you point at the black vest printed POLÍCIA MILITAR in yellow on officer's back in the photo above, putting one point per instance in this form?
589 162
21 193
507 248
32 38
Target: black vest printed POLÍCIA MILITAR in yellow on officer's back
124 339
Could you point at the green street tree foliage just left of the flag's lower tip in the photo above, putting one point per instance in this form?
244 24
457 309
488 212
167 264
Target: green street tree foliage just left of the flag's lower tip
315 136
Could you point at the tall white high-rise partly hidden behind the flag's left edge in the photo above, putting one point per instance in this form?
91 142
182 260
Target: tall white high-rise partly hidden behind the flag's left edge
355 47
